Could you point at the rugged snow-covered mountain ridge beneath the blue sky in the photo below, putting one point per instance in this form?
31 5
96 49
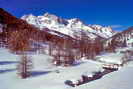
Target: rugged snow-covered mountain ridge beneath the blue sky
72 27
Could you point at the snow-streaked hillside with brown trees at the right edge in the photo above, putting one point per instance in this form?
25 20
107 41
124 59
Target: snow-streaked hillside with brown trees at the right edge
122 39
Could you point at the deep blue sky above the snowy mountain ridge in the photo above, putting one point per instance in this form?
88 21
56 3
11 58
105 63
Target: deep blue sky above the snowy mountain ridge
116 13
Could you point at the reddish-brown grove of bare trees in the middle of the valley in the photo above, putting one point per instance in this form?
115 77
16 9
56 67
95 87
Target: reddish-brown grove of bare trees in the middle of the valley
67 51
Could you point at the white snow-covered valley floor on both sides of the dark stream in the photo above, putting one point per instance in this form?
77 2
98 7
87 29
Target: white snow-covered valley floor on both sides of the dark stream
45 75
